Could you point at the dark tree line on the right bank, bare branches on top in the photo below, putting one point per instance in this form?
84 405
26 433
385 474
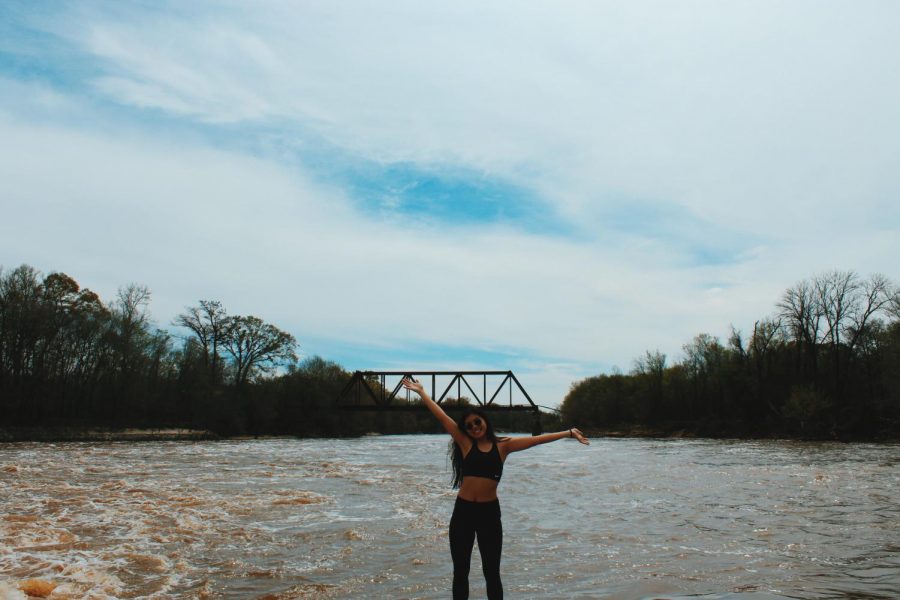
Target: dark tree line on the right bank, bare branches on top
824 364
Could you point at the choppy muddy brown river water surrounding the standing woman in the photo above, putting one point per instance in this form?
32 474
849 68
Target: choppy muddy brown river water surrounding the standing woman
368 517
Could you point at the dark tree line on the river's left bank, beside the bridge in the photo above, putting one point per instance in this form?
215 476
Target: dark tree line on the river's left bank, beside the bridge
70 360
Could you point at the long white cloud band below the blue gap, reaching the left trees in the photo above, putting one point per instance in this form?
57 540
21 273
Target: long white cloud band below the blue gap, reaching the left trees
198 223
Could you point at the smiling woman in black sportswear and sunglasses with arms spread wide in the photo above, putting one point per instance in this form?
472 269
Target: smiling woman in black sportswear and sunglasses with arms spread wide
478 457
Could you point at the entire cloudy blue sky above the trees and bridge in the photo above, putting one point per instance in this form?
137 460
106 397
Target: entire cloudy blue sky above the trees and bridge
546 187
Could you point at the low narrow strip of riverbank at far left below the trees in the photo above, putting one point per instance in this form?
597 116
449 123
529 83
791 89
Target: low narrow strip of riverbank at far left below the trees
74 434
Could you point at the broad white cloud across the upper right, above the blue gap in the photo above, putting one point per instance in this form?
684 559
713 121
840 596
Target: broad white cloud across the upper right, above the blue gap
729 109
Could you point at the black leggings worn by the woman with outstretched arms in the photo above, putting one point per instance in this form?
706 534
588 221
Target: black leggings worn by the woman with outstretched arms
470 519
